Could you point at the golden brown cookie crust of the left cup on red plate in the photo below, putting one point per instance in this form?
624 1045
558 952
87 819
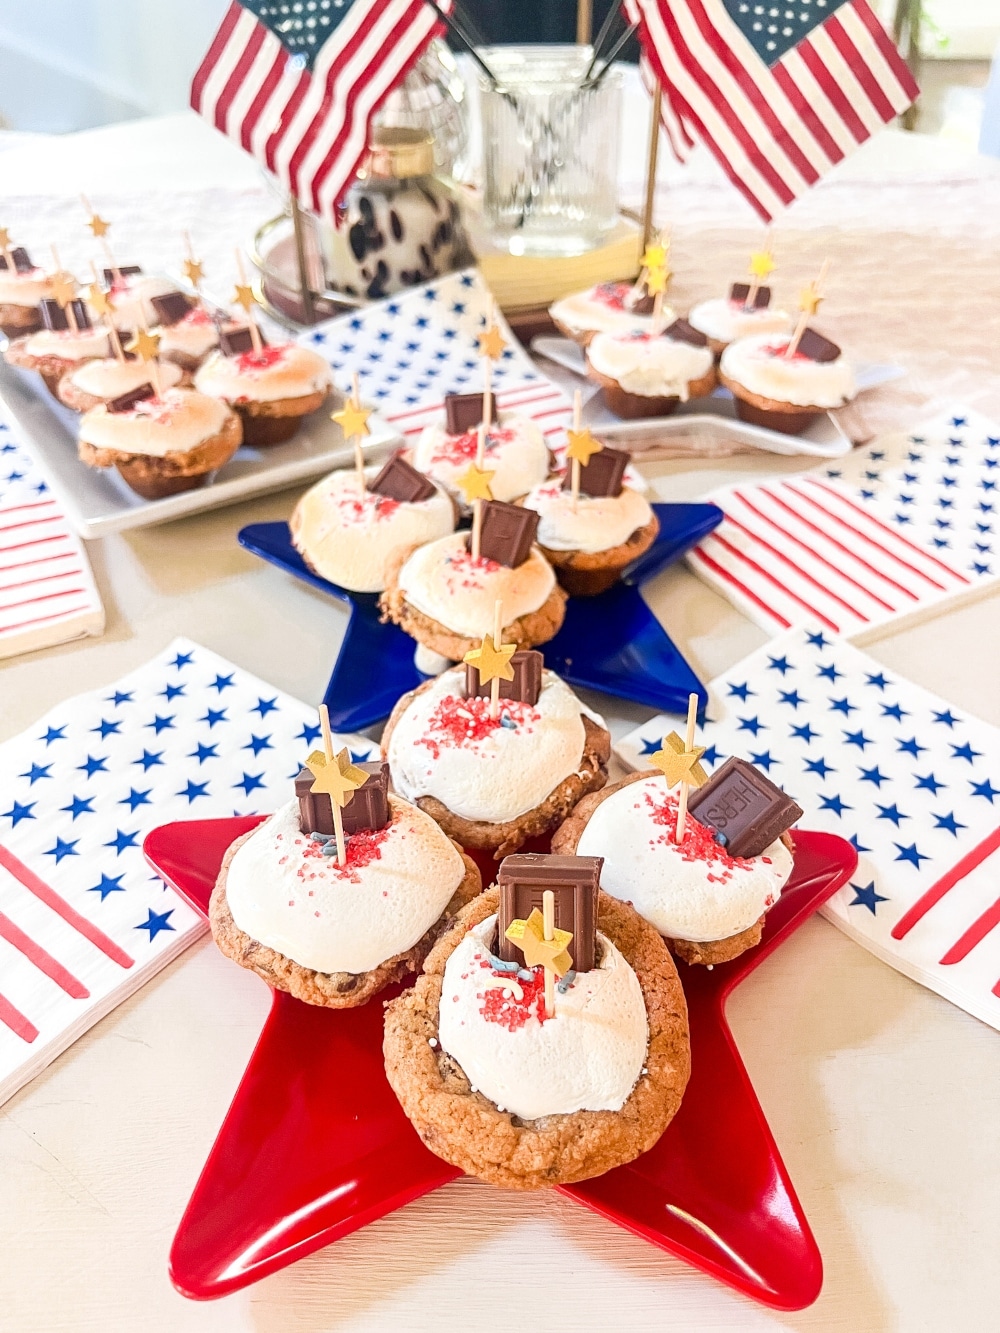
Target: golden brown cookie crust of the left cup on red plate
331 990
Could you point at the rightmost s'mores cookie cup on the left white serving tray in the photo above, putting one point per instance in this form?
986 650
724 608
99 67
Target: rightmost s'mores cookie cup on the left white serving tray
271 389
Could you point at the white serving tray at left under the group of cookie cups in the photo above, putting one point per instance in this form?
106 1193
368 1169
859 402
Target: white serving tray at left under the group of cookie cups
99 503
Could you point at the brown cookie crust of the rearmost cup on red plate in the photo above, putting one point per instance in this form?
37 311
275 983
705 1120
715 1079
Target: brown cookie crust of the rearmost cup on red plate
505 839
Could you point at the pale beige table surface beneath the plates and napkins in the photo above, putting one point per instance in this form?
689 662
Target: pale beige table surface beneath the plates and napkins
885 1099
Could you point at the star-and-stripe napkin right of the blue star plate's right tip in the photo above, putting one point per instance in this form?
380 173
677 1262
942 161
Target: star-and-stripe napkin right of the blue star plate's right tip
895 531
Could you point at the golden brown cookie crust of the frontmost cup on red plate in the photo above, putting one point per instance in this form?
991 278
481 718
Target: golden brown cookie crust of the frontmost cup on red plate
467 1130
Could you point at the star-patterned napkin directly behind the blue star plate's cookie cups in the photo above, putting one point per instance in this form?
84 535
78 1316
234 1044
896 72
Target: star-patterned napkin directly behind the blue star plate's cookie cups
414 349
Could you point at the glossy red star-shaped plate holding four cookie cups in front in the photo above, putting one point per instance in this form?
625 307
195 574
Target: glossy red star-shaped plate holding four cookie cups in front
315 1144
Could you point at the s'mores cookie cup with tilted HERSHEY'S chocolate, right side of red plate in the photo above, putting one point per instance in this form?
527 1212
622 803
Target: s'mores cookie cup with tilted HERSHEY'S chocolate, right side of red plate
710 892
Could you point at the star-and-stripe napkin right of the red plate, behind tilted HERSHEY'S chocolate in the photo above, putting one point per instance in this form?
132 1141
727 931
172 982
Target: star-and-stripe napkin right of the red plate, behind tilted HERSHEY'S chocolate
910 780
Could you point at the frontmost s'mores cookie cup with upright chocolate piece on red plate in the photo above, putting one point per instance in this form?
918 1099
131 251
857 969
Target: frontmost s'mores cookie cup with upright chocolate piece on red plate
547 1039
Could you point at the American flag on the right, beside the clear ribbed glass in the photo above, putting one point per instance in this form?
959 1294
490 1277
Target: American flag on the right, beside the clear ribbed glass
779 91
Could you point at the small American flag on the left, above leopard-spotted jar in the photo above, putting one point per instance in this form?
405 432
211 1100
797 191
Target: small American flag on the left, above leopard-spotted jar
297 83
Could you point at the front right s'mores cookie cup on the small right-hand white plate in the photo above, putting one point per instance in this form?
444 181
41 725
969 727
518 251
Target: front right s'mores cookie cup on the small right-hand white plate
786 383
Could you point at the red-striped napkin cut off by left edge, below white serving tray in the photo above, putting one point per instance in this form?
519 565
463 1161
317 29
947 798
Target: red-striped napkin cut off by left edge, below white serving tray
47 591
